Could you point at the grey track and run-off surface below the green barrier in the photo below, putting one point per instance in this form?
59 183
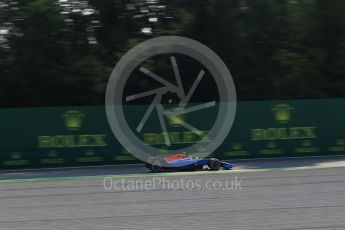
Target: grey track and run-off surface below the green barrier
290 194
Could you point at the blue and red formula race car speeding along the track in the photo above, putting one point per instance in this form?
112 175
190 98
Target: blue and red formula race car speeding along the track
186 162
